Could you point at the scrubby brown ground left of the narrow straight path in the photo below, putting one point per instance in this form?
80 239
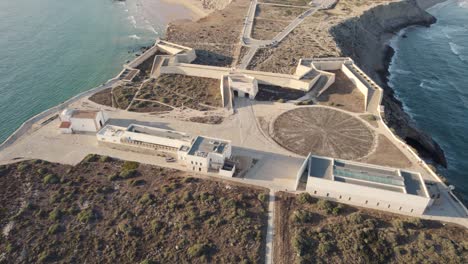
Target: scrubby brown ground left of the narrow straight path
109 211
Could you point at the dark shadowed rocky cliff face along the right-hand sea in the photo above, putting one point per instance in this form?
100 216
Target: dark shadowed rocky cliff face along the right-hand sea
365 39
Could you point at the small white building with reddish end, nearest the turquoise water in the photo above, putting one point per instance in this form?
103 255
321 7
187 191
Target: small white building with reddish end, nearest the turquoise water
74 120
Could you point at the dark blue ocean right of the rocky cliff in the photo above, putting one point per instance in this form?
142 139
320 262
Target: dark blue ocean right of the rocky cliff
429 74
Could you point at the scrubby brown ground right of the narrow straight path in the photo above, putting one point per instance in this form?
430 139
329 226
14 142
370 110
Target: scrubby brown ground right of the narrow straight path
309 230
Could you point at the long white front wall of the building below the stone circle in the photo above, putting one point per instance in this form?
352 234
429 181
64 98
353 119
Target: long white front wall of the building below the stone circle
359 195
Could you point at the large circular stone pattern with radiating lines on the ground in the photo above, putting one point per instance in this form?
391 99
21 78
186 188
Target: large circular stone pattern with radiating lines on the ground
323 131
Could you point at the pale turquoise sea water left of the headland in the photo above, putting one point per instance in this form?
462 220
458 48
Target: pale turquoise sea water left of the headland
51 50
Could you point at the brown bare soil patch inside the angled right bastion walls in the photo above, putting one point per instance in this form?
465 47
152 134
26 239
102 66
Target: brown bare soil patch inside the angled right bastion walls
343 94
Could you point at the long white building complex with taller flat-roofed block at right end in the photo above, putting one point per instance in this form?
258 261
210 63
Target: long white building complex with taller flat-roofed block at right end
200 154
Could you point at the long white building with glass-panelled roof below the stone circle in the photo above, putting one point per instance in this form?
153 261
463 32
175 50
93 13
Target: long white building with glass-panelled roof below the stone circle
366 185
